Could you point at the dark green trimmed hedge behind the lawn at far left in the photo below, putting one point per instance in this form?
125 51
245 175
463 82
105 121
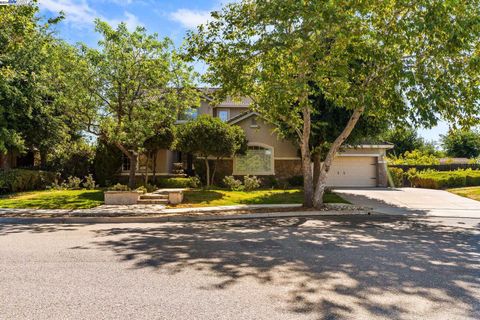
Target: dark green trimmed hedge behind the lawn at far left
17 180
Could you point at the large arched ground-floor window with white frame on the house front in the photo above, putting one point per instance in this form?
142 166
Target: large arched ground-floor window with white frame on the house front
257 160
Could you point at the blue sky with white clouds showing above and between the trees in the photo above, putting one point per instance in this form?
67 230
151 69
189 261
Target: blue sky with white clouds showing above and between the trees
170 18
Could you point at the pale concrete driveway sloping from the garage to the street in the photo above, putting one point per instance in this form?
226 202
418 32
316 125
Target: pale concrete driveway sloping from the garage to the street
413 201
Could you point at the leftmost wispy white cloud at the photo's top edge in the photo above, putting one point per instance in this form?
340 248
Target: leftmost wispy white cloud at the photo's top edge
78 12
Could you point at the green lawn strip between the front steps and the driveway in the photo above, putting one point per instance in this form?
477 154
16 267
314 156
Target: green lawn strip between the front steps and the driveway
218 197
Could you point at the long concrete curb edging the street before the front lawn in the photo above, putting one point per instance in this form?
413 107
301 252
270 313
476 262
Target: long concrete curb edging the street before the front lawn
146 219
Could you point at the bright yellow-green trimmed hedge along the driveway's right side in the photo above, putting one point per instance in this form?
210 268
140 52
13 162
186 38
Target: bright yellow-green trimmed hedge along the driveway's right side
445 179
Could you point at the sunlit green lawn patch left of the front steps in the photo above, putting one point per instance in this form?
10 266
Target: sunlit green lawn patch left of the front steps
53 199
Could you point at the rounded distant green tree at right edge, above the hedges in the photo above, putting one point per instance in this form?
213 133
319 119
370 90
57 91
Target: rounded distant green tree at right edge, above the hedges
462 143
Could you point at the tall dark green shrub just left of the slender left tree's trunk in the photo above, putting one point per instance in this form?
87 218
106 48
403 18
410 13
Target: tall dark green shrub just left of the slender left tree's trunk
107 163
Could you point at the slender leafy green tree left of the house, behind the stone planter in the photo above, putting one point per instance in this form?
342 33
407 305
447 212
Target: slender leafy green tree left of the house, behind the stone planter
132 84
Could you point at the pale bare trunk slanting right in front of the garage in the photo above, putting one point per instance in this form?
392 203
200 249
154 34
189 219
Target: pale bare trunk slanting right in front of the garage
325 168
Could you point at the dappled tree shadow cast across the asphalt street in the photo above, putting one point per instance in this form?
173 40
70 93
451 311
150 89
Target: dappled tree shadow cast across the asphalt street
333 268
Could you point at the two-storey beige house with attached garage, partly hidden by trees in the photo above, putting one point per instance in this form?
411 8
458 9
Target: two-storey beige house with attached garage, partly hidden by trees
268 155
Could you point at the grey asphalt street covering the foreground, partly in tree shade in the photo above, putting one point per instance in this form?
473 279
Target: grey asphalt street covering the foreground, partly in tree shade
362 267
